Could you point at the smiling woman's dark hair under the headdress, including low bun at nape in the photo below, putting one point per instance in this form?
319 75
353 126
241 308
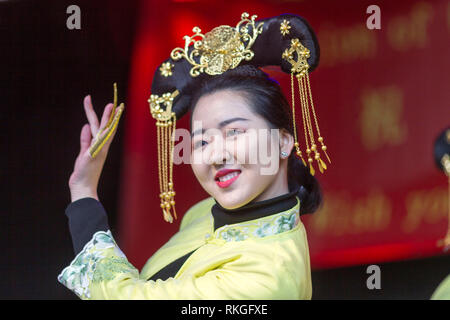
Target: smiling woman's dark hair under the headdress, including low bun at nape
267 100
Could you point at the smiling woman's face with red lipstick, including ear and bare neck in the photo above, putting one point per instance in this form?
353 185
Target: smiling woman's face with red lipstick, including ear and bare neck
235 155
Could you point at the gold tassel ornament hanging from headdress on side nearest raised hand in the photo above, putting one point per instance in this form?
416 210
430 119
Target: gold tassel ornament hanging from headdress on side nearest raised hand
165 127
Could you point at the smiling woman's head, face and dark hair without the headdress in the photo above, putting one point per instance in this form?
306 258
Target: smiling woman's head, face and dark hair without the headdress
241 100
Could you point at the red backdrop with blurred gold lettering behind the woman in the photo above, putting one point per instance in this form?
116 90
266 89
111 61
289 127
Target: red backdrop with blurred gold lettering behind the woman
382 96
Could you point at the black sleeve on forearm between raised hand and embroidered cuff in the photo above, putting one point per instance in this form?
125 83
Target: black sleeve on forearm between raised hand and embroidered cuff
86 217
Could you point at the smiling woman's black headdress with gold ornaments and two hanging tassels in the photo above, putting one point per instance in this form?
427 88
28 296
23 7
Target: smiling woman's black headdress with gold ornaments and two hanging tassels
286 40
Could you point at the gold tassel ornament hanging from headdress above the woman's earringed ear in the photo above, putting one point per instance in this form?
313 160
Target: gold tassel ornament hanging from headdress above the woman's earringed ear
297 56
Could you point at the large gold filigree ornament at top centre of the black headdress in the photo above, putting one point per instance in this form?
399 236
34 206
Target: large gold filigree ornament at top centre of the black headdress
222 48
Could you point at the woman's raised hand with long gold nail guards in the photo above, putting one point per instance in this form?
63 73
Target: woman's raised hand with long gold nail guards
95 140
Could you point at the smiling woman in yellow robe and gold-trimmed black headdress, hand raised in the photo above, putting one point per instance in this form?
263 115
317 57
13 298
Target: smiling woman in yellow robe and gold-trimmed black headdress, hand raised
246 241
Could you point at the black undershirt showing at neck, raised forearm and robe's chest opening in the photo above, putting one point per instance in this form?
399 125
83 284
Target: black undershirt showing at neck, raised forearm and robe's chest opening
87 216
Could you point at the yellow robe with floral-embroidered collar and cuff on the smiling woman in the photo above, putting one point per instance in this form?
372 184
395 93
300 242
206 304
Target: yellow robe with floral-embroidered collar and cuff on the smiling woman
265 258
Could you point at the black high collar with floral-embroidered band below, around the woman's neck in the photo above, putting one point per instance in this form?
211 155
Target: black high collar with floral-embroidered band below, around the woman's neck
256 220
